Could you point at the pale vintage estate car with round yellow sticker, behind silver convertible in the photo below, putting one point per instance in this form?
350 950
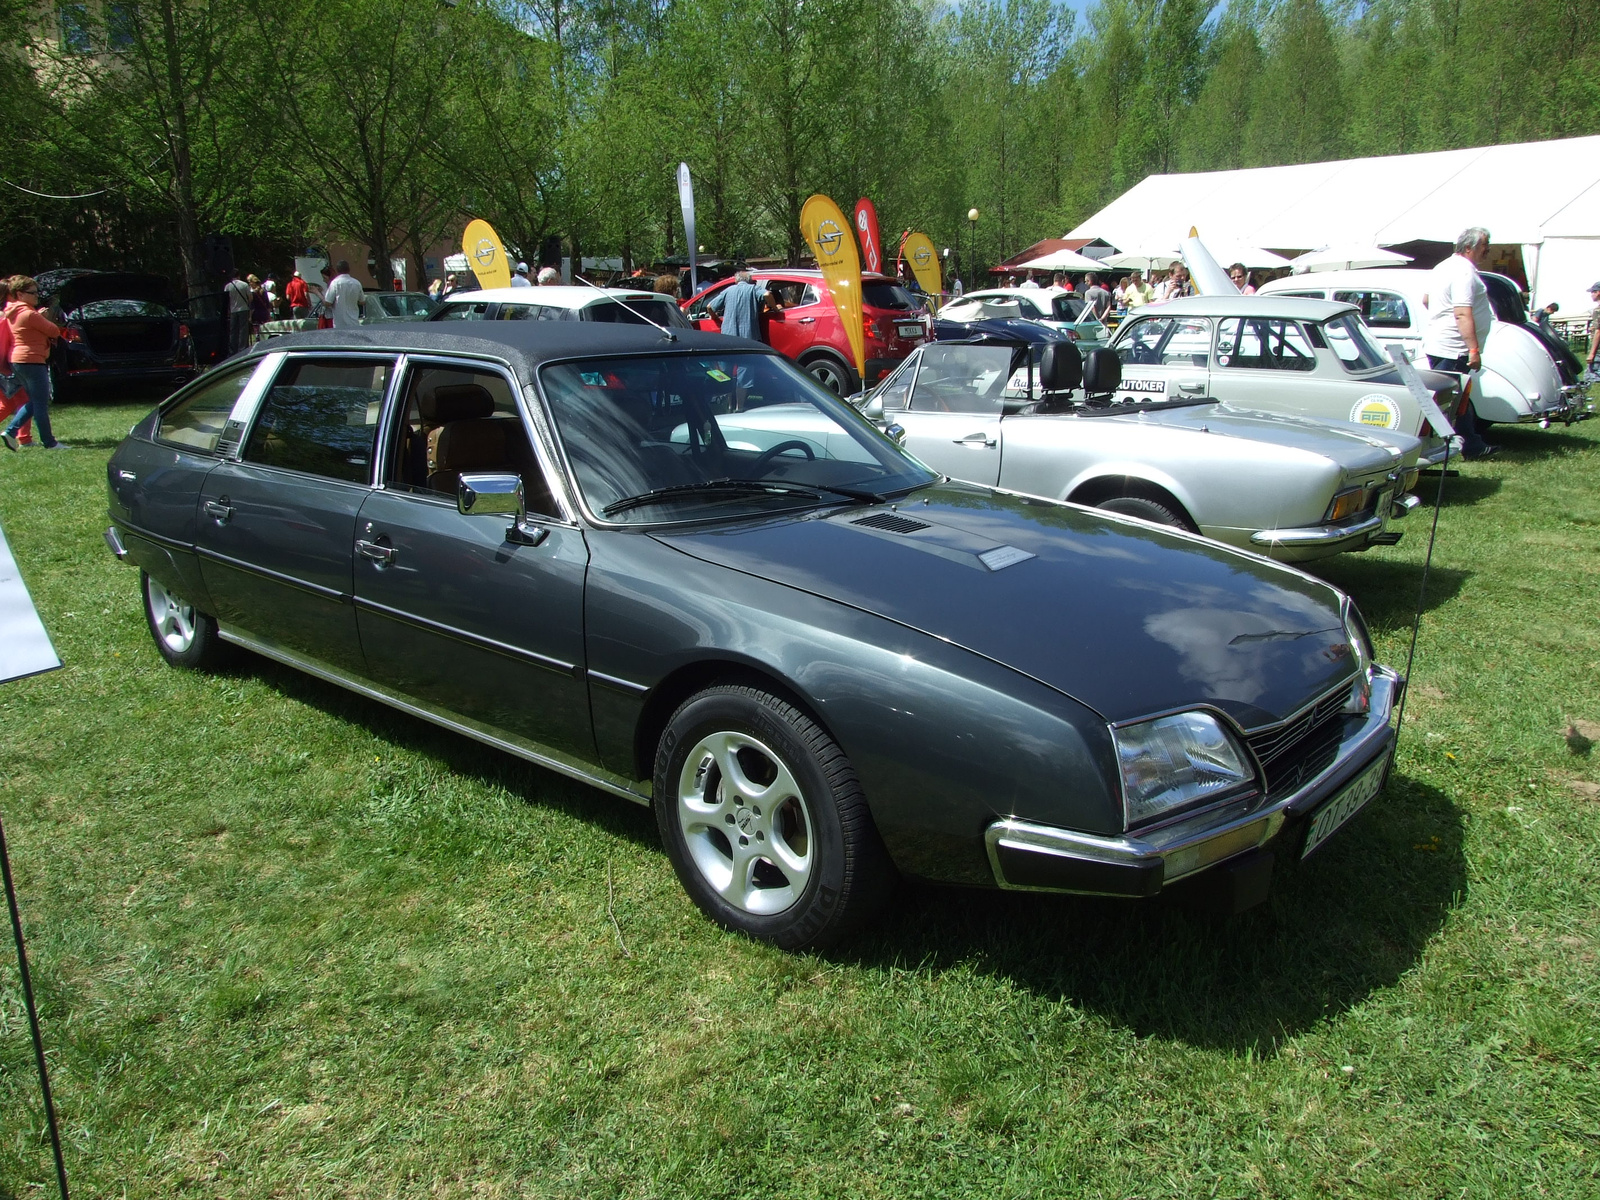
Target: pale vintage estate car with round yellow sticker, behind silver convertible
1276 354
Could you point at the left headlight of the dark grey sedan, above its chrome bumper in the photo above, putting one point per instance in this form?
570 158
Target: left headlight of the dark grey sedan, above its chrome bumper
1175 762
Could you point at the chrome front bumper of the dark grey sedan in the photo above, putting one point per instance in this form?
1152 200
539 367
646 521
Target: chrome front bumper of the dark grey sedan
1026 857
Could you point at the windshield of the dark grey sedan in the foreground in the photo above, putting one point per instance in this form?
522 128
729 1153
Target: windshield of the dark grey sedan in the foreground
682 438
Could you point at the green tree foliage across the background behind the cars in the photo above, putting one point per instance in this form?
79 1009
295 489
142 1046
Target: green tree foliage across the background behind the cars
390 122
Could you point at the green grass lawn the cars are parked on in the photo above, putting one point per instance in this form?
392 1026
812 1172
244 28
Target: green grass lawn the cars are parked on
292 943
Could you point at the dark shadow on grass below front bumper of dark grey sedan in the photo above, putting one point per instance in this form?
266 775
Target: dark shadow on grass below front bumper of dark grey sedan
1348 922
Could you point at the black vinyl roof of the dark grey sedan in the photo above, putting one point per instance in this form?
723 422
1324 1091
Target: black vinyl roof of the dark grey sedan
526 346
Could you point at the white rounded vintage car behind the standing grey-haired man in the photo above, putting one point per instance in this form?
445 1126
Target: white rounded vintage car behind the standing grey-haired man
1527 377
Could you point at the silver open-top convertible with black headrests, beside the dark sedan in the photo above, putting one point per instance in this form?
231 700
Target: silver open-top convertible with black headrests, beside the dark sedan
1009 415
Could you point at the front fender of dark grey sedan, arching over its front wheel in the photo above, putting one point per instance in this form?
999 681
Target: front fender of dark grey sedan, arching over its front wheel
889 695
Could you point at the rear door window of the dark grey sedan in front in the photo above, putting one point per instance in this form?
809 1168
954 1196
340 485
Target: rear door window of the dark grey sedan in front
321 418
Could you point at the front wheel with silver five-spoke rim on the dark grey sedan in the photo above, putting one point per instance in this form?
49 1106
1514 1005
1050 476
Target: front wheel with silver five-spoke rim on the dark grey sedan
823 870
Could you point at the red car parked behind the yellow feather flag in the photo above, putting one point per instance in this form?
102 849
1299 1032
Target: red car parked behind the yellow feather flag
806 326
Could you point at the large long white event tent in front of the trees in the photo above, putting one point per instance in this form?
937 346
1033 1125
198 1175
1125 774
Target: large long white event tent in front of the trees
1540 196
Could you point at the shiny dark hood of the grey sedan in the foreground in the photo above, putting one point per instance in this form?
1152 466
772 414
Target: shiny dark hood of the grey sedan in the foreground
1124 617
